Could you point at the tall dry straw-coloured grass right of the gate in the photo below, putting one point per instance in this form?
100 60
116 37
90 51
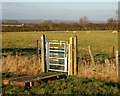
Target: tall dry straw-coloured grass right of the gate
107 72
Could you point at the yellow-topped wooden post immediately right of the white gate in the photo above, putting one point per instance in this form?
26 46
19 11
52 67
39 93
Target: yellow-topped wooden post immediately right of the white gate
71 56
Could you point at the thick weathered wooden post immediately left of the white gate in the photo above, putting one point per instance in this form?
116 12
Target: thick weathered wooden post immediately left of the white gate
43 53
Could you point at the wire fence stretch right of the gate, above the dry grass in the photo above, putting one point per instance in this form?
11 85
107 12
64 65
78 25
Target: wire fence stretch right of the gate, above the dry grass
99 58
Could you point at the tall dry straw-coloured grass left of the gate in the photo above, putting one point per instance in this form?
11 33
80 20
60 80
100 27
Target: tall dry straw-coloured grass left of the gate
21 65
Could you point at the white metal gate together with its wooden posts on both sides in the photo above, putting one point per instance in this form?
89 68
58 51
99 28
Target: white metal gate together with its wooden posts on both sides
59 55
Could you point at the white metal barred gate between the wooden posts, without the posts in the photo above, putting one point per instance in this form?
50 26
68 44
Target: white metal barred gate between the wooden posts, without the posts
57 55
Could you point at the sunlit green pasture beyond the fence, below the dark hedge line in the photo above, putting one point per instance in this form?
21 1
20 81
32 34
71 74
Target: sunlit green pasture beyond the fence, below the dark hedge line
100 41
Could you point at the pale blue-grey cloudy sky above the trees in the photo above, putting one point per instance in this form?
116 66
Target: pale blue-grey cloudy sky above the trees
59 10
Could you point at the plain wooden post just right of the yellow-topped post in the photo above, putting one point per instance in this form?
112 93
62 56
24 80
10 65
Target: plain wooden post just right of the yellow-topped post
75 55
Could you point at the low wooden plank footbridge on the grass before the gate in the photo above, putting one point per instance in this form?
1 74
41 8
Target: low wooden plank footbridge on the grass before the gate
31 80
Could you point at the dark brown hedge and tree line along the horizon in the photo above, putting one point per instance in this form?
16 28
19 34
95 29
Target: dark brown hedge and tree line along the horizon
47 25
